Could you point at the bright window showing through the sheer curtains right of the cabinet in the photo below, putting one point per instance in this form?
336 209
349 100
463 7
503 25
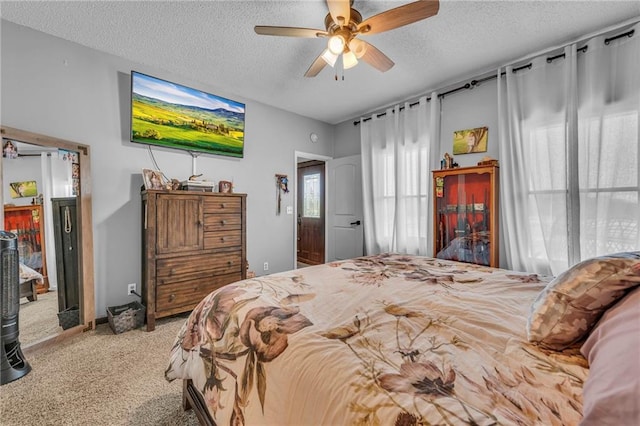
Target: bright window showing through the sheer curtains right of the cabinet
608 187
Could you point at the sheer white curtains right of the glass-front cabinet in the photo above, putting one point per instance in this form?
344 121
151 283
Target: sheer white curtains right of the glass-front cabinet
568 140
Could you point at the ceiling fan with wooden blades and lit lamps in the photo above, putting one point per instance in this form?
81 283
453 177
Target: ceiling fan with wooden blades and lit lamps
344 24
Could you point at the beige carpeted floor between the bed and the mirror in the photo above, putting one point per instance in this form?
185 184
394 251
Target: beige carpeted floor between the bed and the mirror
100 378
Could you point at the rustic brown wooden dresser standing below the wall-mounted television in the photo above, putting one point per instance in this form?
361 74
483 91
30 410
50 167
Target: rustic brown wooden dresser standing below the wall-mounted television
192 243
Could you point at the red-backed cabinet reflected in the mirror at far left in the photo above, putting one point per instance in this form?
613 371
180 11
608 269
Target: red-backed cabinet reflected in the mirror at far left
27 222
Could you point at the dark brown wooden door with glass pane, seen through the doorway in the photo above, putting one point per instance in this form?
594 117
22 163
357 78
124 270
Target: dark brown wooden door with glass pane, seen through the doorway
311 216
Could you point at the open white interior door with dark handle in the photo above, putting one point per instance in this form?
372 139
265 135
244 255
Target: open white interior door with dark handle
344 209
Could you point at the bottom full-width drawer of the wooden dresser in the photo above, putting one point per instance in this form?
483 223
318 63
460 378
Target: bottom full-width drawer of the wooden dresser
178 296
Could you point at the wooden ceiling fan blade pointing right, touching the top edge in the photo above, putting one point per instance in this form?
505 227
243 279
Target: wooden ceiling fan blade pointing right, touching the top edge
399 16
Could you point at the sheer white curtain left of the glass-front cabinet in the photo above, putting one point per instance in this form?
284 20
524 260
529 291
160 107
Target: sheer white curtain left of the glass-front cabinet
397 159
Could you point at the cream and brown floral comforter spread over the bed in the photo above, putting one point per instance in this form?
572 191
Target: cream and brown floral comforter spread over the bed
384 339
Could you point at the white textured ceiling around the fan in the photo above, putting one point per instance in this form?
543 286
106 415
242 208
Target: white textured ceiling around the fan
213 42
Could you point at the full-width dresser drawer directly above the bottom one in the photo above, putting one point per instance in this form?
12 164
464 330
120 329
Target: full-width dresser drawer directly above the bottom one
220 263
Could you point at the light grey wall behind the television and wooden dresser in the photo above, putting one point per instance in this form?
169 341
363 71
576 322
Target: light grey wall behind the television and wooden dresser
61 89
